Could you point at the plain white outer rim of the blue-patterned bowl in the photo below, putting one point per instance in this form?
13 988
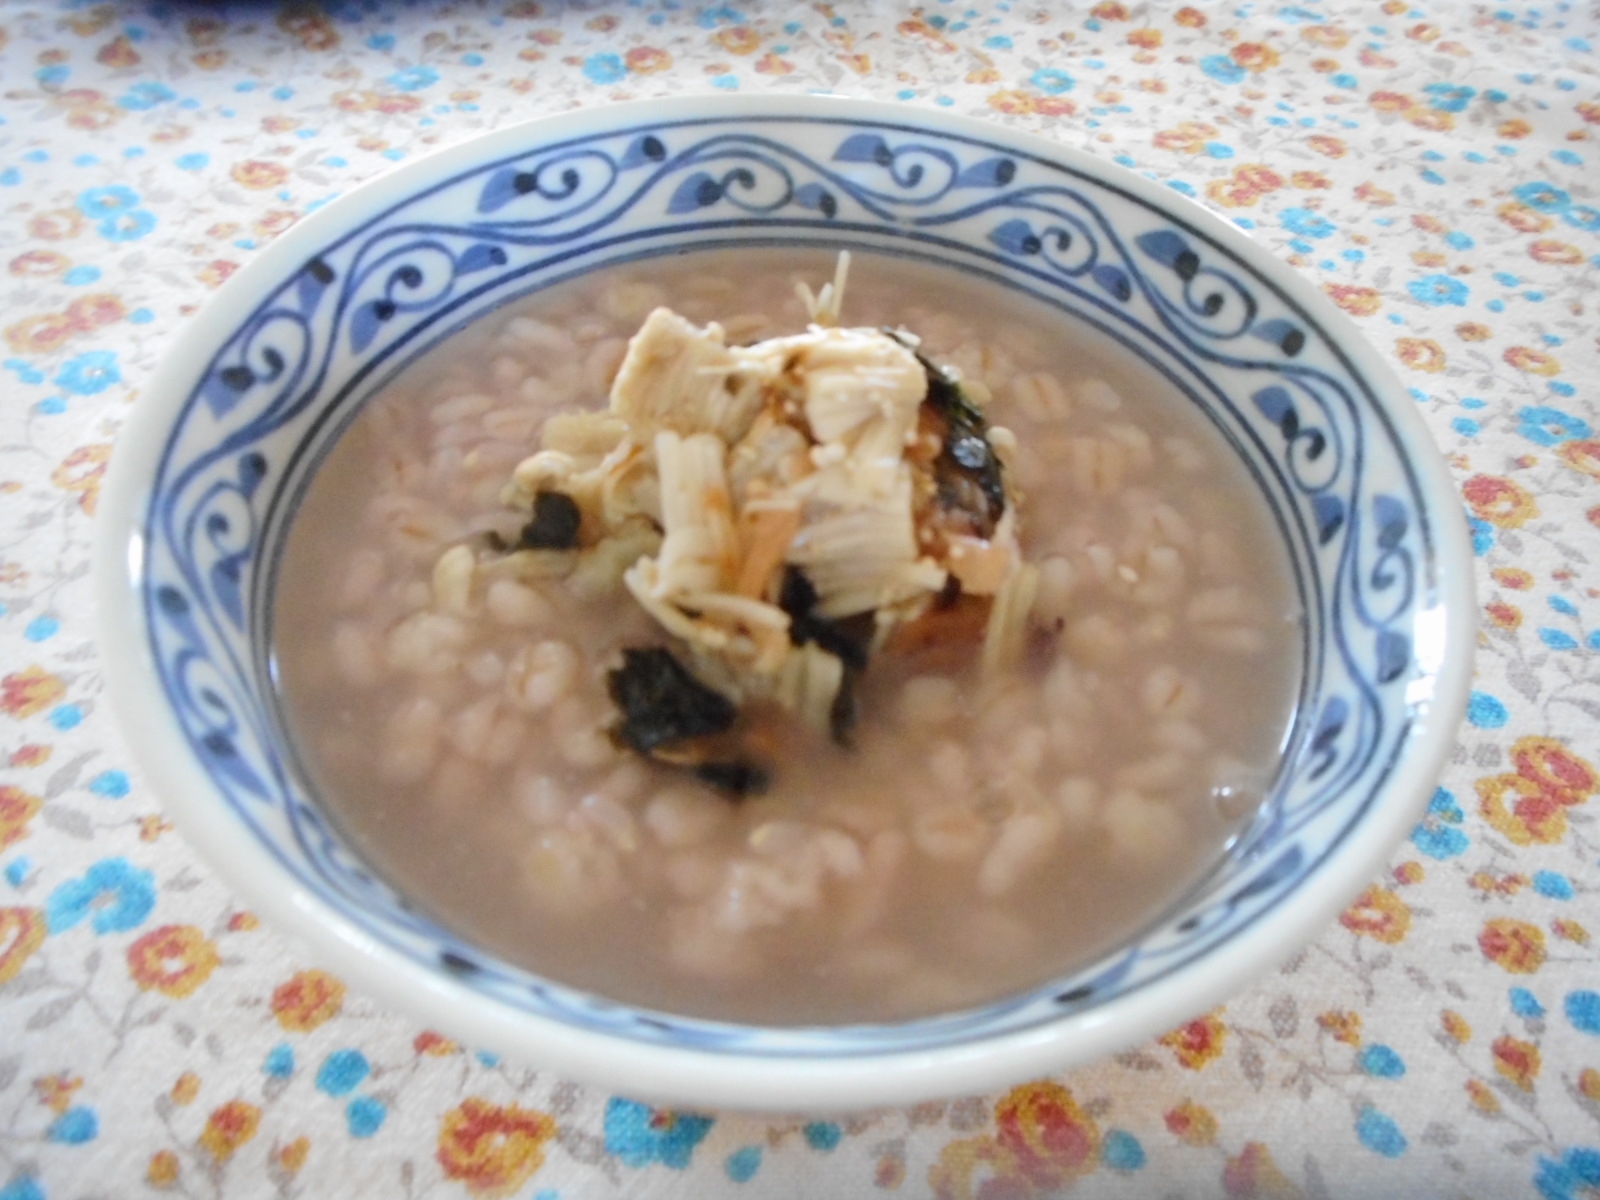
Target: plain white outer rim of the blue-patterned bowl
679 1074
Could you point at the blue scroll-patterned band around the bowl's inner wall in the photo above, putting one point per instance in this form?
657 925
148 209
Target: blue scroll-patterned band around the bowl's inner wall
498 230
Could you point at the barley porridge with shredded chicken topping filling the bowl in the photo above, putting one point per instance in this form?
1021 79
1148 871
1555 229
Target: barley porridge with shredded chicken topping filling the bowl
862 657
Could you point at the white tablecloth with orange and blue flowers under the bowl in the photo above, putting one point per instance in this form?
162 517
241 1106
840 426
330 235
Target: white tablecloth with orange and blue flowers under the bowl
1434 169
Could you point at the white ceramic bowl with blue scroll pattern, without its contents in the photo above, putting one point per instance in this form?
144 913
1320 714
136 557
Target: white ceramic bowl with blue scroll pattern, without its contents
210 465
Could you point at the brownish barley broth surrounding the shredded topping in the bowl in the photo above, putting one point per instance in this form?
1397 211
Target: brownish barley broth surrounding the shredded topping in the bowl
982 833
